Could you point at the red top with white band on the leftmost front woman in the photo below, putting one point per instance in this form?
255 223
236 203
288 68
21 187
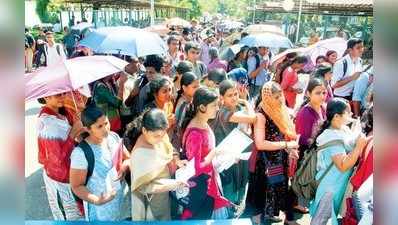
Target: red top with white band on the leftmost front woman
55 145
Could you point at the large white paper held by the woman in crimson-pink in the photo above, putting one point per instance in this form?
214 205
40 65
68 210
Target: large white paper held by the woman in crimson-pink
230 149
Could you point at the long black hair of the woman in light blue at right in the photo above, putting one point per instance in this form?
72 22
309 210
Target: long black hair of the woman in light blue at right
334 106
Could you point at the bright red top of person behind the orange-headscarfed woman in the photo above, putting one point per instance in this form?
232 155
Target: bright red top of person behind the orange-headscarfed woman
289 79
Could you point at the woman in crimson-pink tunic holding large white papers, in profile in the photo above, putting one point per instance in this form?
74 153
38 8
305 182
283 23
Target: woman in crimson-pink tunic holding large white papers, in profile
199 144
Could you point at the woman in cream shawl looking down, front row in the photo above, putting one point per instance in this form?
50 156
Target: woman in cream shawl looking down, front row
151 163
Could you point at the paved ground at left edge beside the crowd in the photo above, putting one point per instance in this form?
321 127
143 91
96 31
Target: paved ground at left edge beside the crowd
35 197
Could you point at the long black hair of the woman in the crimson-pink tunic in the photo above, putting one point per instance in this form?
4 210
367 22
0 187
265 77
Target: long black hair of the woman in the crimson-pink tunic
202 96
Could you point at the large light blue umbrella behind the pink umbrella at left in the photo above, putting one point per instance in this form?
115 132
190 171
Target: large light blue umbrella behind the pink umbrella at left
124 40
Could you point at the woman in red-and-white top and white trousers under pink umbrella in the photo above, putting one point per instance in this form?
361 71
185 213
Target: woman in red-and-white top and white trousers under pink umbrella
56 140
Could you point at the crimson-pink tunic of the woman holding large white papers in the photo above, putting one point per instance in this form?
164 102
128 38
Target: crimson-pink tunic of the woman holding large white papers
198 143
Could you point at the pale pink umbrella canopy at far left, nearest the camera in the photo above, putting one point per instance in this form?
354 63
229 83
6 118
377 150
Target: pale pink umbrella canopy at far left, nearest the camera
71 74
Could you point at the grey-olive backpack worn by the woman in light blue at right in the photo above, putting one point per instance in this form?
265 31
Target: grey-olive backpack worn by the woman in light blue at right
304 183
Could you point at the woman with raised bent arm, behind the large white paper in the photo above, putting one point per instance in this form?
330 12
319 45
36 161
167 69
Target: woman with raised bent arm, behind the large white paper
233 111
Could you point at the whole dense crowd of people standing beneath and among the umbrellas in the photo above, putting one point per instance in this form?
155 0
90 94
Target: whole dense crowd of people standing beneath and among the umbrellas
141 125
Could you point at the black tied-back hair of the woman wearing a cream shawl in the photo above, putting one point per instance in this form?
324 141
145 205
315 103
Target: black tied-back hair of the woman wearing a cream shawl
151 120
